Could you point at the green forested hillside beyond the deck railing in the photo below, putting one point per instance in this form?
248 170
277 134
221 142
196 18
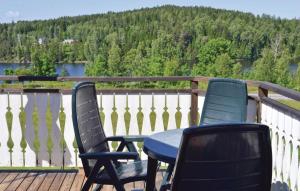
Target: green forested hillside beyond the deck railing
161 41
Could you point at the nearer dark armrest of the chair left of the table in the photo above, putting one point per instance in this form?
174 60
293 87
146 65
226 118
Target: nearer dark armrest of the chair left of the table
110 155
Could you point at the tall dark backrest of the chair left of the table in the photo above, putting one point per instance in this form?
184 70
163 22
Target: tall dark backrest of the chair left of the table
87 124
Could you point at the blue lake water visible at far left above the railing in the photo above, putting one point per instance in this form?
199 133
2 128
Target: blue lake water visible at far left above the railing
72 69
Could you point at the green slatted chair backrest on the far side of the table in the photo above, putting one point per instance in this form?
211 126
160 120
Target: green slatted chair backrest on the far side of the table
225 102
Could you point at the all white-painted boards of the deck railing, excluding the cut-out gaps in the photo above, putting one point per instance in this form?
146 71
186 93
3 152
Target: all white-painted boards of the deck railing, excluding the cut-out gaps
285 156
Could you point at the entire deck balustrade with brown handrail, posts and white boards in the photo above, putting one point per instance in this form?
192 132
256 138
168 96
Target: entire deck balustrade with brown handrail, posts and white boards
37 130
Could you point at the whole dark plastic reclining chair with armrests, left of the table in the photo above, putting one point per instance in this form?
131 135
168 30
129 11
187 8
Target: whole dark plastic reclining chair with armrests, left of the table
100 165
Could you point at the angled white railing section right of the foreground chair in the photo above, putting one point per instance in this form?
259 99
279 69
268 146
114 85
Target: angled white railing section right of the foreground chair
285 134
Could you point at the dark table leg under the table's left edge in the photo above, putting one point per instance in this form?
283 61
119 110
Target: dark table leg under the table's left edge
151 174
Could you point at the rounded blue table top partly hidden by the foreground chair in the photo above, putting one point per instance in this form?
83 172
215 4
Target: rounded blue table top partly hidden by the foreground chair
163 146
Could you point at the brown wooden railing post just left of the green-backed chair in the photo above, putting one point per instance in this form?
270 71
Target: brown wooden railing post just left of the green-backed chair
194 102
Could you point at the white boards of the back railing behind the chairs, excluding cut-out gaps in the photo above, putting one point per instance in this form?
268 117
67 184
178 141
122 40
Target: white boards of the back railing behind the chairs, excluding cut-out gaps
41 100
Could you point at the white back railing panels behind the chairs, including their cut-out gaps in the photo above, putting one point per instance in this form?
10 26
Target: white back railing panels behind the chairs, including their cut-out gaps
40 142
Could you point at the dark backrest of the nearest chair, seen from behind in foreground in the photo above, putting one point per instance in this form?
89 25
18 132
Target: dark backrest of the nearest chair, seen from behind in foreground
224 157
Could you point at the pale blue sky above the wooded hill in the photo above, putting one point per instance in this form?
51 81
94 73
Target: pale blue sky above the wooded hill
15 10
